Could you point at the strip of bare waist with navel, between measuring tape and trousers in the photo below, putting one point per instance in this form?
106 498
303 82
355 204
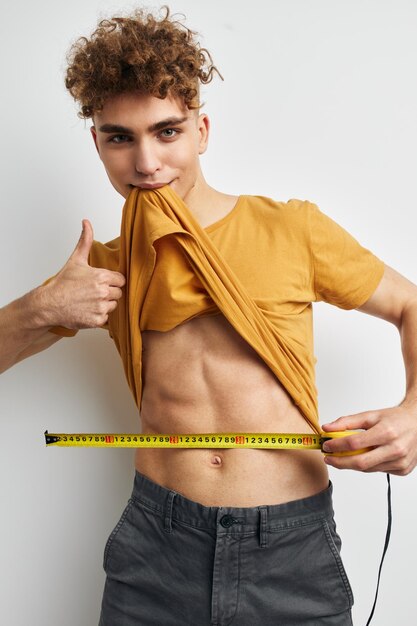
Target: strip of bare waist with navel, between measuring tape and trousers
246 477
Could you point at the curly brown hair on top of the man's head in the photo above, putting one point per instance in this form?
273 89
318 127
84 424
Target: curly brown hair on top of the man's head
137 53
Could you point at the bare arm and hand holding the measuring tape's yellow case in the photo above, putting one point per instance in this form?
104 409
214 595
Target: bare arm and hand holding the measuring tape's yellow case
389 433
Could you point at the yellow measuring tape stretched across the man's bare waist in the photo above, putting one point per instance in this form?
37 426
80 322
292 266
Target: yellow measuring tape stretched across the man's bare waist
276 441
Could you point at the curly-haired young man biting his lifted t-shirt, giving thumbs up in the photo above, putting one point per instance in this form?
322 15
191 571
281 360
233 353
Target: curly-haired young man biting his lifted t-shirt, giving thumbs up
208 299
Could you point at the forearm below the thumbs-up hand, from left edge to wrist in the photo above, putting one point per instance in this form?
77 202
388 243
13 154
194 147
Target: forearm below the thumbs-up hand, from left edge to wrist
23 323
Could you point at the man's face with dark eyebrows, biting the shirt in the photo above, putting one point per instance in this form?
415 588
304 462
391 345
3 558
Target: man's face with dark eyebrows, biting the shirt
147 142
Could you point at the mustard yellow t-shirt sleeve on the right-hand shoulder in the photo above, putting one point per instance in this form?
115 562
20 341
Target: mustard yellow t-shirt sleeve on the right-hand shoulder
345 273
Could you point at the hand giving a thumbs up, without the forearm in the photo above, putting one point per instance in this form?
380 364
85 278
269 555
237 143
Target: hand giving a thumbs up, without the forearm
81 296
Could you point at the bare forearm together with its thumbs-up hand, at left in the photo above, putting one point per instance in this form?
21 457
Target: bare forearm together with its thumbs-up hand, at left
79 296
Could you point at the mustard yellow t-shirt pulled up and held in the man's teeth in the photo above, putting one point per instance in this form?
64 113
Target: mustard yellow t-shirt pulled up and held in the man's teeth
261 266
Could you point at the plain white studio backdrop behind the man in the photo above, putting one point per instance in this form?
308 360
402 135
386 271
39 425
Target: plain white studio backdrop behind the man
319 102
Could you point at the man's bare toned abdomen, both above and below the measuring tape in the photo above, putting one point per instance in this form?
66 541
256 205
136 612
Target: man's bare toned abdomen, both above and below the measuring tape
203 377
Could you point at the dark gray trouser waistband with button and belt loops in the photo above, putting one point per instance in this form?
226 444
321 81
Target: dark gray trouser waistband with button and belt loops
171 505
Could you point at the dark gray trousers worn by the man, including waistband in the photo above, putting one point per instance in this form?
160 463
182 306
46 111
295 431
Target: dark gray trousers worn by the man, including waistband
171 561
